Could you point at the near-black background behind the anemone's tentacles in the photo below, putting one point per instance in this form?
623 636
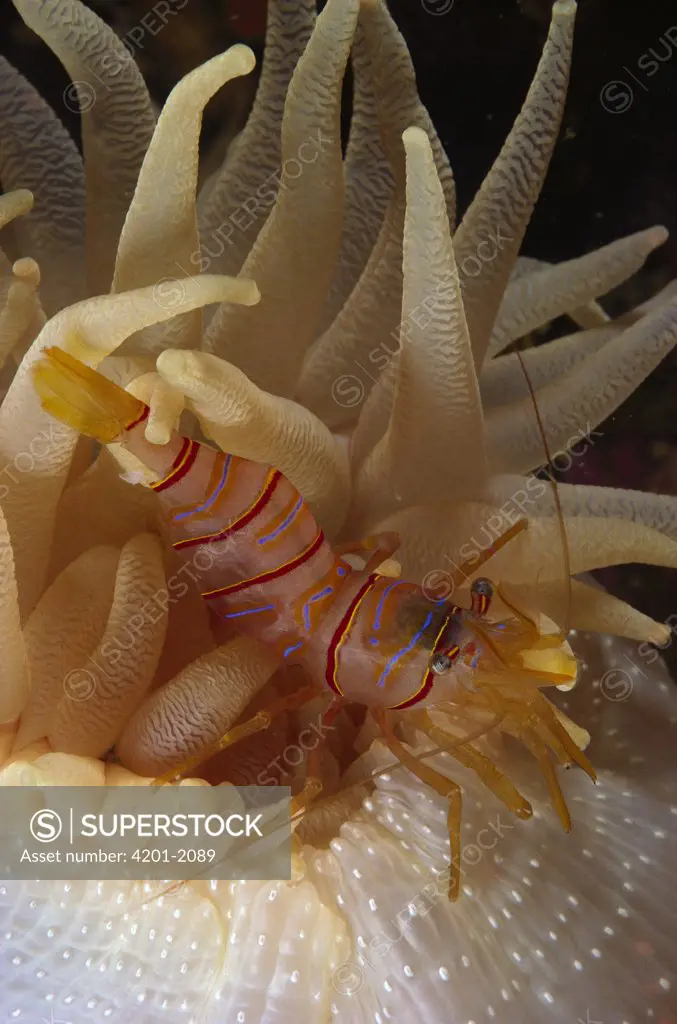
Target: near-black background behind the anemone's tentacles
614 173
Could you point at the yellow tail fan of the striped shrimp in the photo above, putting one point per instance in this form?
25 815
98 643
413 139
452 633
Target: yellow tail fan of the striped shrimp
84 400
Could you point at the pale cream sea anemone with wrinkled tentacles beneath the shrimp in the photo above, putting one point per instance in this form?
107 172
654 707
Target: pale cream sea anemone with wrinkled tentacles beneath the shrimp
362 351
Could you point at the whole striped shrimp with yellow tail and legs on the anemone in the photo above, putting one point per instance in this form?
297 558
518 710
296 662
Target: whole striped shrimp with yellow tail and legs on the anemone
360 636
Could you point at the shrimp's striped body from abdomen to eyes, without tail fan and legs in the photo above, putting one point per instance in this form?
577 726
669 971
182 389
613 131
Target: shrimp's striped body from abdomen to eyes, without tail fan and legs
267 569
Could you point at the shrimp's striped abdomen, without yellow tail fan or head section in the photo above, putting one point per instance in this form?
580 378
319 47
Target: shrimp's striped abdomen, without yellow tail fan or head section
265 565
